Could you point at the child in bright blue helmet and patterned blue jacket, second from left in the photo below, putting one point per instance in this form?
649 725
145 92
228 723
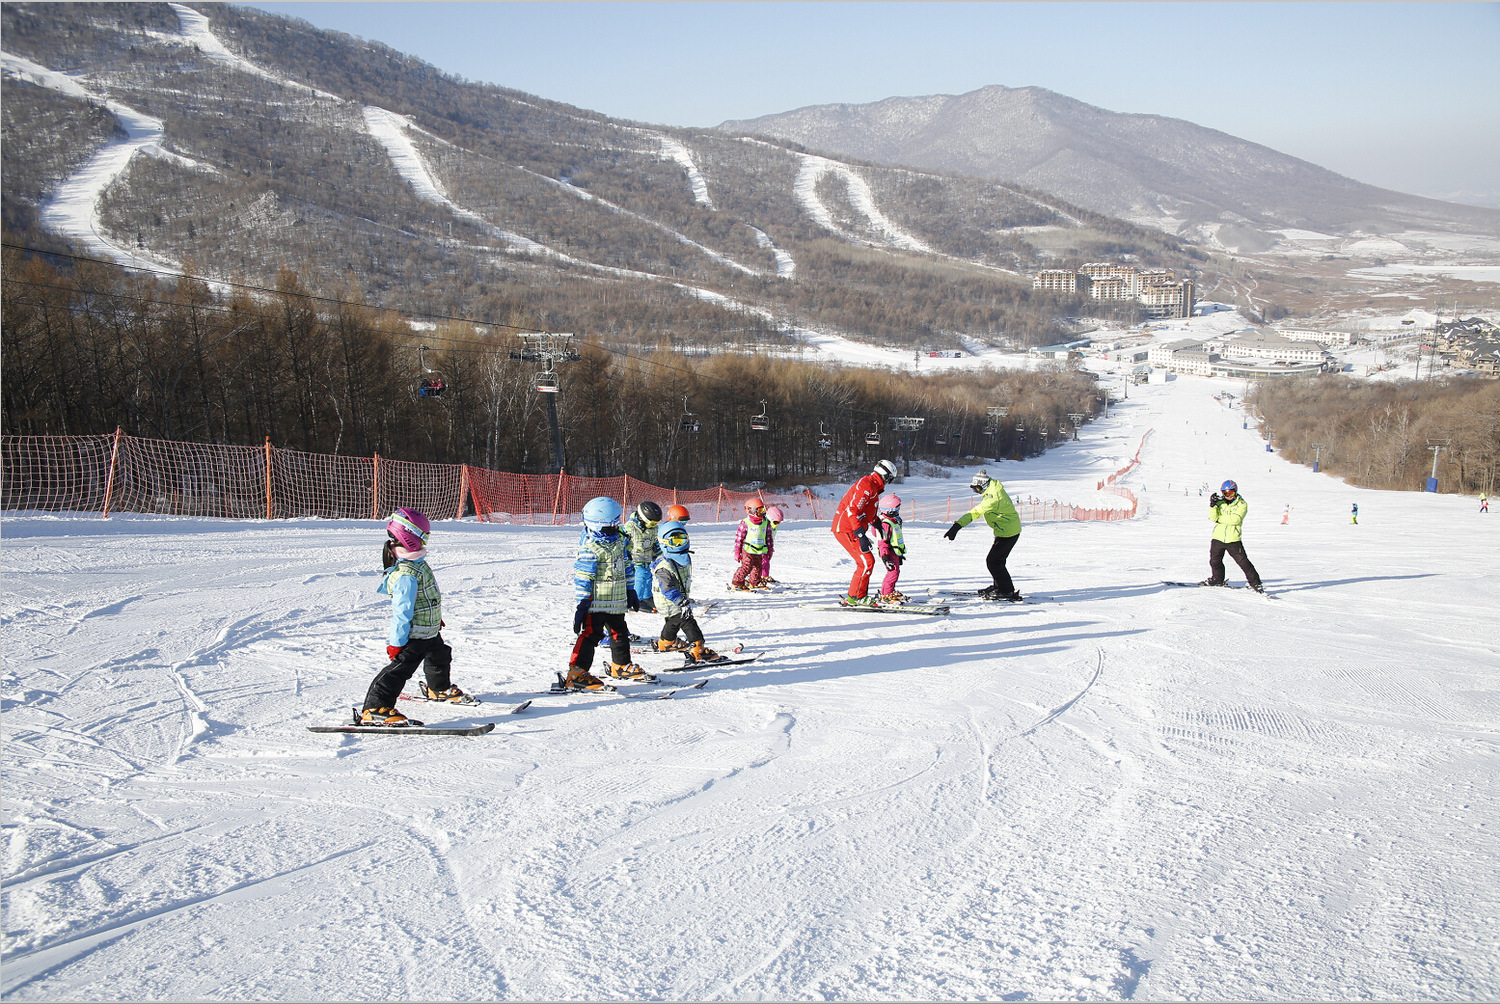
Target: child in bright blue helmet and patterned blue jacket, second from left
604 589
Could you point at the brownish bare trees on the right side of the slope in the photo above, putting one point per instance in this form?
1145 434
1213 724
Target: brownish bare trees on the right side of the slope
1379 434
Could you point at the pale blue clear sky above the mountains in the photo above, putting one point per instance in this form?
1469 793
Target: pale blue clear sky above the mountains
1400 95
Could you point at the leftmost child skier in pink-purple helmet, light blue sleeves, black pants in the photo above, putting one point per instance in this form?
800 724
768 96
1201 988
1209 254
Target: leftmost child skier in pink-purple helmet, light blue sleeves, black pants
416 625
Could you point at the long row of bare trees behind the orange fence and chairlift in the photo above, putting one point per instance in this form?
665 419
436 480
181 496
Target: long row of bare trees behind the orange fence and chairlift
89 349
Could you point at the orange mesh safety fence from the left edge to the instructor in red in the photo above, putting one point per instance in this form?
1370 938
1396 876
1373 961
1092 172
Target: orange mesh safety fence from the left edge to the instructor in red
124 473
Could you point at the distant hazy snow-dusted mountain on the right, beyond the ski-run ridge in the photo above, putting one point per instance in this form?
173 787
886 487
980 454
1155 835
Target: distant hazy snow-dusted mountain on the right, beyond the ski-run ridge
1166 173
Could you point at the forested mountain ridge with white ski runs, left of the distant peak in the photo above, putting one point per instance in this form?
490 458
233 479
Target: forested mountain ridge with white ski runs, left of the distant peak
362 169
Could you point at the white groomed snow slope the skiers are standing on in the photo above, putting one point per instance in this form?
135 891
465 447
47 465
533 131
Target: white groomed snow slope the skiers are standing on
1124 790
